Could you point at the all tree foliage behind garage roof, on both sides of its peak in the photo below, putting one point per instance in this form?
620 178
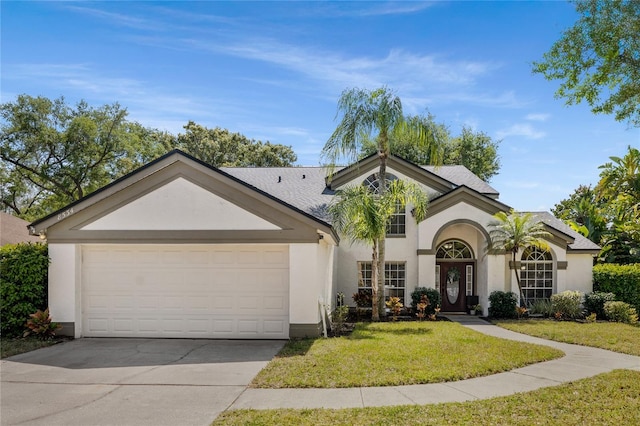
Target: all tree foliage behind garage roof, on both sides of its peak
54 153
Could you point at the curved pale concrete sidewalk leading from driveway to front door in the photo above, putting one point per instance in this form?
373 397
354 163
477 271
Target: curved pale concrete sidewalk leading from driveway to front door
578 363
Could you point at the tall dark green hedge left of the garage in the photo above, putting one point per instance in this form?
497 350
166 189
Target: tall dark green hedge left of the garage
23 285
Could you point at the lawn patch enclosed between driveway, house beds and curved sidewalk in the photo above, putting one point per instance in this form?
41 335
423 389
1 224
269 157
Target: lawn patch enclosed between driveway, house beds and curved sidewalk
403 353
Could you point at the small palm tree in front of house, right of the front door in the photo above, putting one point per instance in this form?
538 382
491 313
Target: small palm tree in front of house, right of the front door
514 232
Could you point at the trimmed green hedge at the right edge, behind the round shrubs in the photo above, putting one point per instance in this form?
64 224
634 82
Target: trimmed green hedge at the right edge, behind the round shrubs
621 280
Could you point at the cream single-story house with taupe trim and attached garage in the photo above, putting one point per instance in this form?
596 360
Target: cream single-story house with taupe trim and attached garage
178 248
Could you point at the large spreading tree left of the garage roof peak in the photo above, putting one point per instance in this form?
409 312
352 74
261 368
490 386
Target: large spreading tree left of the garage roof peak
54 154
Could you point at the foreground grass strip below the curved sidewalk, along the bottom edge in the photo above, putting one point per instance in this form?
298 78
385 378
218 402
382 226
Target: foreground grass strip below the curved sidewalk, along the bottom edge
606 399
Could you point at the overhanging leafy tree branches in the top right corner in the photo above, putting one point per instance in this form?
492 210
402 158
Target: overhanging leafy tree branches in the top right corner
597 59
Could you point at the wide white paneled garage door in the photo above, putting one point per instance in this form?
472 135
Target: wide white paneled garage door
189 291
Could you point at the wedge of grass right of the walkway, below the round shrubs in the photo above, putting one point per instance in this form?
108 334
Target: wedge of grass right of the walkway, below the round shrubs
613 336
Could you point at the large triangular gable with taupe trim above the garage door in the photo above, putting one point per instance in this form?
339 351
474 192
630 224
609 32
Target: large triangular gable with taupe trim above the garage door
141 207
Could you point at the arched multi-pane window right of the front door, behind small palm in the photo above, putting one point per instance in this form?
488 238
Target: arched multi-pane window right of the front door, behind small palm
536 274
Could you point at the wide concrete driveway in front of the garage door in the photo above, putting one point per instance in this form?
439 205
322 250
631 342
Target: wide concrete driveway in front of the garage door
129 381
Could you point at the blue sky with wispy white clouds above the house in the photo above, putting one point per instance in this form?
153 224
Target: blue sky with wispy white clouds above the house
275 70
